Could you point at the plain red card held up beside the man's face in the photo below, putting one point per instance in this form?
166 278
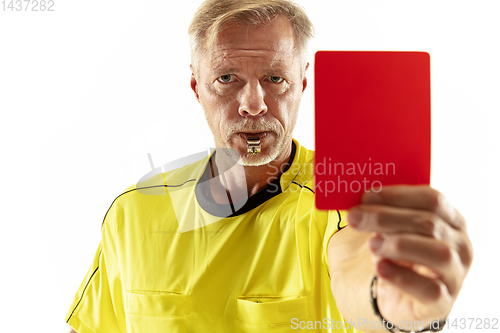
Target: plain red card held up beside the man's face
372 123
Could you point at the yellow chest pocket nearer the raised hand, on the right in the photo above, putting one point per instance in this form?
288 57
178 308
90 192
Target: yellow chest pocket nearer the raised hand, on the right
273 314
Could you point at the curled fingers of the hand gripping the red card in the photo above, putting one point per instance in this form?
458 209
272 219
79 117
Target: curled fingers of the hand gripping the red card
418 232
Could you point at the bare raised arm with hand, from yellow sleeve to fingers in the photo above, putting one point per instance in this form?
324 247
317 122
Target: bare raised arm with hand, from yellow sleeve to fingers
417 246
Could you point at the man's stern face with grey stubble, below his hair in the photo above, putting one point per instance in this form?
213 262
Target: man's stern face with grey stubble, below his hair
250 84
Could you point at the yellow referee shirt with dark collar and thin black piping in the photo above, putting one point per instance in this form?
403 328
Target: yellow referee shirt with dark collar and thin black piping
169 261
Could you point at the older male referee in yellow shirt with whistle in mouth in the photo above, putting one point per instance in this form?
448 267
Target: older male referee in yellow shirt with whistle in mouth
233 243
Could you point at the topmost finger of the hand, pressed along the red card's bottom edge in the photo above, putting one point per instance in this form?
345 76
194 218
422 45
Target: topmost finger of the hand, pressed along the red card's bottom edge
417 197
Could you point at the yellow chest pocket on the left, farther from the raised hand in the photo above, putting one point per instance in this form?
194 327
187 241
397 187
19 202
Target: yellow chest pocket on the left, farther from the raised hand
153 311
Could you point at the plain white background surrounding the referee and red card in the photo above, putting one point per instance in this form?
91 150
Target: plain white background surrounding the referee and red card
88 90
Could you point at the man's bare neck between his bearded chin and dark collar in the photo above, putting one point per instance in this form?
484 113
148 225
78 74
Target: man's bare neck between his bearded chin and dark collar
240 182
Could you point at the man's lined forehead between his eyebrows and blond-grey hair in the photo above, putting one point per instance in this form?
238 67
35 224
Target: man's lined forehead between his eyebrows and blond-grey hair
271 45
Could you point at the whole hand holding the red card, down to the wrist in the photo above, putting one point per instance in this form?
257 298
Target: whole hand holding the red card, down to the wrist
420 249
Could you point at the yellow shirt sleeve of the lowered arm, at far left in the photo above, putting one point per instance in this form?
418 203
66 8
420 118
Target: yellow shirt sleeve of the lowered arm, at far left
98 304
